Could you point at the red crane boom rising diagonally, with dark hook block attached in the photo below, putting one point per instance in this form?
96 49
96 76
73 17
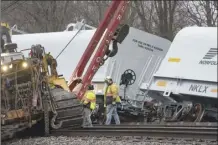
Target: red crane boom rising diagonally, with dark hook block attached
115 32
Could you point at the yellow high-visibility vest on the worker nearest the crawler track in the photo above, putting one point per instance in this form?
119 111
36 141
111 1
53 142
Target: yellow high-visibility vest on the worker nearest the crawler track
90 97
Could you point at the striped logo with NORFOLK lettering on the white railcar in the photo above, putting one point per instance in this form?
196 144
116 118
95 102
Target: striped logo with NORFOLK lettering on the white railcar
209 55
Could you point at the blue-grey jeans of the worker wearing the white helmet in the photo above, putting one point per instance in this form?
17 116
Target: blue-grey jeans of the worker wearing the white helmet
111 111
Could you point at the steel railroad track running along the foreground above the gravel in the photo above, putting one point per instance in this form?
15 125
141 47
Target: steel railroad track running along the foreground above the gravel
164 130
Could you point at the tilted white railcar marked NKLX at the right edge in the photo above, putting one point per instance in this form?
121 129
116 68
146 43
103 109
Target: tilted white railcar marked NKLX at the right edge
186 81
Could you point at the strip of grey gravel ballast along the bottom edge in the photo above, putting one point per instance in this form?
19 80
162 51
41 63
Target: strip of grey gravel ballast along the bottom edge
130 140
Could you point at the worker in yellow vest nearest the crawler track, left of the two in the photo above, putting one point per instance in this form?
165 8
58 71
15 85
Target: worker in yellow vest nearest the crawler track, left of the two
89 102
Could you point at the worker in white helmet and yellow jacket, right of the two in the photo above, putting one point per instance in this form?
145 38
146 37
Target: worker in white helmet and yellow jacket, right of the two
111 100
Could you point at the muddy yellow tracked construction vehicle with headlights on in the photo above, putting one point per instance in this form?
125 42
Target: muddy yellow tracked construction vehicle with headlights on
32 92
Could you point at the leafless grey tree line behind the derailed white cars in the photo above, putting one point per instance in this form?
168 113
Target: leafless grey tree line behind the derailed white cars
162 18
